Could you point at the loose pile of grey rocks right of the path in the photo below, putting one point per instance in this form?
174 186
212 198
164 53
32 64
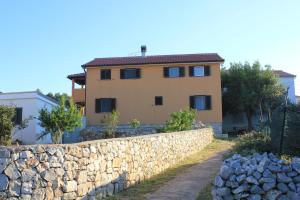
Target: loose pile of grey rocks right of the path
260 176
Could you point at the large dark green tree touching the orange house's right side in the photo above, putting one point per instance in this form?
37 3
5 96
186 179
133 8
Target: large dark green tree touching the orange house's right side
250 88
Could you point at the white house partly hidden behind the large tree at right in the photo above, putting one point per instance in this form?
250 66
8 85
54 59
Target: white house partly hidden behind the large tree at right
288 81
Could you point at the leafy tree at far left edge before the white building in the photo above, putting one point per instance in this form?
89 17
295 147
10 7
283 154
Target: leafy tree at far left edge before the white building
7 125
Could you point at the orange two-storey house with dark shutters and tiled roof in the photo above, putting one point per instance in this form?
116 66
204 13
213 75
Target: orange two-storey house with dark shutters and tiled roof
150 88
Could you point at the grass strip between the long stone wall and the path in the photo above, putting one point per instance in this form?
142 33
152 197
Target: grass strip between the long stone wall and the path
154 183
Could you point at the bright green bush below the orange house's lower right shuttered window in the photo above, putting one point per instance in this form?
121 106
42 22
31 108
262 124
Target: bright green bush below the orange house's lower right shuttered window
181 120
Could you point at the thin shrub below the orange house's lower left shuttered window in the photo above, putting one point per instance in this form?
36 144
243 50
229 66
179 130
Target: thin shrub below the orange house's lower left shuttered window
110 123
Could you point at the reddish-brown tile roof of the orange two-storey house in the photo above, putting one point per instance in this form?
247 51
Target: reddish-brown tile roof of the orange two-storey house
157 59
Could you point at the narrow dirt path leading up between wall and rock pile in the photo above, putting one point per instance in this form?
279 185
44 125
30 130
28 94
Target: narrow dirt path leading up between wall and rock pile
187 185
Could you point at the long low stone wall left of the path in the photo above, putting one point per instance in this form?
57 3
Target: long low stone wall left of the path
92 169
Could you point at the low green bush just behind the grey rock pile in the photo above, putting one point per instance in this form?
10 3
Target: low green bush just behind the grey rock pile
253 142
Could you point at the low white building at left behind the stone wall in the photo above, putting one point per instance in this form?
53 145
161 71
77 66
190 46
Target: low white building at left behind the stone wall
27 106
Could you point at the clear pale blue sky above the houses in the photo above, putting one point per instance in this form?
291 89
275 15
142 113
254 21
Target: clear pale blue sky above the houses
41 42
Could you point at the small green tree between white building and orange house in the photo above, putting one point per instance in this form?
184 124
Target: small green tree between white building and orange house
59 120
